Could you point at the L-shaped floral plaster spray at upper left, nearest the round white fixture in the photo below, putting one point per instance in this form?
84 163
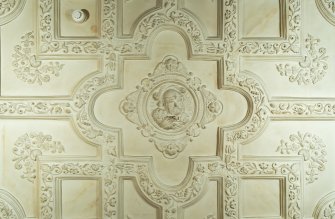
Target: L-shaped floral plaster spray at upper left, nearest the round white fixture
26 66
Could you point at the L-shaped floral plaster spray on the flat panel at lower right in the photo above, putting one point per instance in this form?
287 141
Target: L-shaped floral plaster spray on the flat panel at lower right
311 148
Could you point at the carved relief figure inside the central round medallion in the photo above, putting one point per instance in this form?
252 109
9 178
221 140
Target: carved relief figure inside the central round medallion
170 113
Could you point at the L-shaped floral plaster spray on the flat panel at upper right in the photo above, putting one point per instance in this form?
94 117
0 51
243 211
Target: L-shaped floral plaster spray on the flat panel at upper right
312 69
